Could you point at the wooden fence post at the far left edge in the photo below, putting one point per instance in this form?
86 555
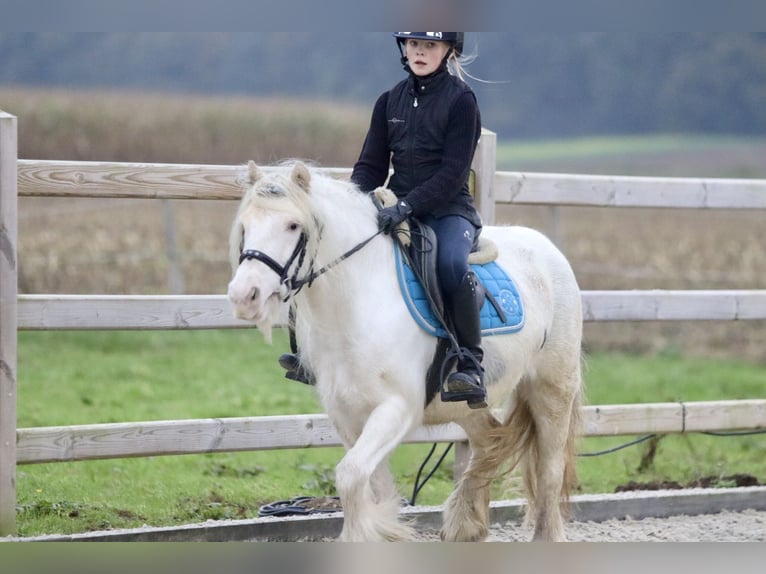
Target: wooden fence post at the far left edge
8 320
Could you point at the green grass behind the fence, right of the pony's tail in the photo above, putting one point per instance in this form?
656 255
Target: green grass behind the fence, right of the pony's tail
627 379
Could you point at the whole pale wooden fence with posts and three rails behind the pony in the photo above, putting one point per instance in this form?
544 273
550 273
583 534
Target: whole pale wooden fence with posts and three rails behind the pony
32 178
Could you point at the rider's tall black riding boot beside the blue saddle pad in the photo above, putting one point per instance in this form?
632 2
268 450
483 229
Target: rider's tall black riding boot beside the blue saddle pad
467 383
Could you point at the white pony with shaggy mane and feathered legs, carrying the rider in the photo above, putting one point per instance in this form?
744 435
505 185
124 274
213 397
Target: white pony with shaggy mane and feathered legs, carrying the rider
369 357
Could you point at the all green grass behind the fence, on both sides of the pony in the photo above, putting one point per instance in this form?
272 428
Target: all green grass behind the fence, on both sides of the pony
82 378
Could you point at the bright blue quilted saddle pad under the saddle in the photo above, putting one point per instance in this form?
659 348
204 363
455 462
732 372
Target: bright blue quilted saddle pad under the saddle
494 279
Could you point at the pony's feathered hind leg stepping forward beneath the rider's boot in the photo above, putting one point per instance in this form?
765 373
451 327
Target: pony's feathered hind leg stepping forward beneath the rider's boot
466 512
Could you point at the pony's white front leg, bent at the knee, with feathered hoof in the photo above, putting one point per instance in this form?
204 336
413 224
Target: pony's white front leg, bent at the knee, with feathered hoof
368 516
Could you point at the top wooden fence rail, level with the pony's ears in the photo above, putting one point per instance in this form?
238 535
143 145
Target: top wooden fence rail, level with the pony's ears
180 181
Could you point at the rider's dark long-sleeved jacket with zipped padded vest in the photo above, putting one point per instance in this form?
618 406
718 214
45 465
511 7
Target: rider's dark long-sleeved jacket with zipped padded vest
428 129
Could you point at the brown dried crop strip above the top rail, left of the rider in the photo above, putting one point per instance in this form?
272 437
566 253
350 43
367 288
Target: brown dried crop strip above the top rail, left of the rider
86 125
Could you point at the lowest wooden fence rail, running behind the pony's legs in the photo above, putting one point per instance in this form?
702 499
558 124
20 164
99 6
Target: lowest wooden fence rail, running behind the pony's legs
154 438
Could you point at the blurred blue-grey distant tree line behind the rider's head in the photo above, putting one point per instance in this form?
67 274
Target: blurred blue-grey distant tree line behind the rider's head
539 84
